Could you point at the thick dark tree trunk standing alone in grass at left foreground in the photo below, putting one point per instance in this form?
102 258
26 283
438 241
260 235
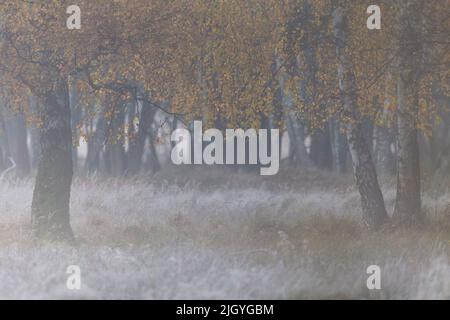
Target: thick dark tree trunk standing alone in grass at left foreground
51 198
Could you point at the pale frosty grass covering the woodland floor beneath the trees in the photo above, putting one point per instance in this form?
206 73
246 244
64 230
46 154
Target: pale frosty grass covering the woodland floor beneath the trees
212 234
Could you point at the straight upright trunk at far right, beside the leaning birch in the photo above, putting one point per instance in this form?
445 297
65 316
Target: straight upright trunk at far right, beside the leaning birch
408 207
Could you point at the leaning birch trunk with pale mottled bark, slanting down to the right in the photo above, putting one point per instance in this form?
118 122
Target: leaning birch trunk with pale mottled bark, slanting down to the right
372 202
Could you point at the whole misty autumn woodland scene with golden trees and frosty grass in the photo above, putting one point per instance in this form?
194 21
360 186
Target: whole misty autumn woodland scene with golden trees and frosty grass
84 149
